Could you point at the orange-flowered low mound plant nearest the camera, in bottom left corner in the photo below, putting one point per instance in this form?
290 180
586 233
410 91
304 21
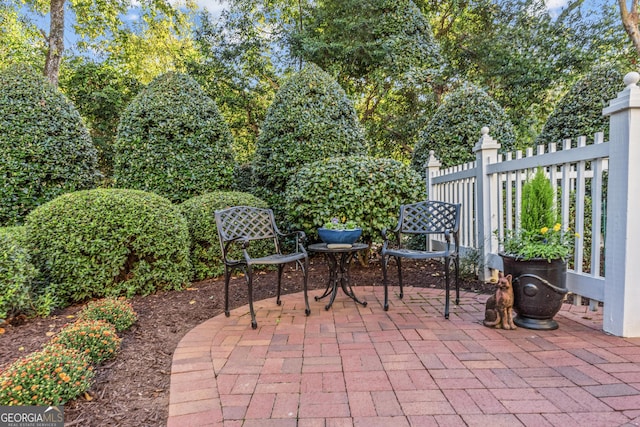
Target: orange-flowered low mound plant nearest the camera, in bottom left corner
51 376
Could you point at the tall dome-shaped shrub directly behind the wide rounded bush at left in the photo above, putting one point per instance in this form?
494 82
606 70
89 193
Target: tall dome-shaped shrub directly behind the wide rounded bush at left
173 141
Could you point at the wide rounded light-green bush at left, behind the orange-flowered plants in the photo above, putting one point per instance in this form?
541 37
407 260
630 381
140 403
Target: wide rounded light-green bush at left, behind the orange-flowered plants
109 242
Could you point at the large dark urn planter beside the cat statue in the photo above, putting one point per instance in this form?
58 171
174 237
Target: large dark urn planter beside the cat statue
539 289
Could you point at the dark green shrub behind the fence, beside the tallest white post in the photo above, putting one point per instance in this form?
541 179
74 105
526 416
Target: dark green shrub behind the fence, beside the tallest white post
579 112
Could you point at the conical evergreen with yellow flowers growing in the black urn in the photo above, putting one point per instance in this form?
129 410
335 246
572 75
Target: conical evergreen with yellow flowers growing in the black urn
540 235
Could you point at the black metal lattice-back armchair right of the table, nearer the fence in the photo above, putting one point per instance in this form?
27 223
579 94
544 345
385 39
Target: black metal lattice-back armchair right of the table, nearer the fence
424 218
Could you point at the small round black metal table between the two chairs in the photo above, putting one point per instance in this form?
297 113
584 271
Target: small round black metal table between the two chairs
339 262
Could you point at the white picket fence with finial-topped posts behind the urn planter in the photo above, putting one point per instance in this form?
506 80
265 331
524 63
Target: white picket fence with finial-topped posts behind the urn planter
598 185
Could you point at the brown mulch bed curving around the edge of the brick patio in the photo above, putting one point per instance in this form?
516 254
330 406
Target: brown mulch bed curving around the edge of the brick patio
133 388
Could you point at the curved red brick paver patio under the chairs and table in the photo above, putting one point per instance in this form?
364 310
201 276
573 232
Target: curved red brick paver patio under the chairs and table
362 366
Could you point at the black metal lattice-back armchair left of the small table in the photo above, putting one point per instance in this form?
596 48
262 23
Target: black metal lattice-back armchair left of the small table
238 226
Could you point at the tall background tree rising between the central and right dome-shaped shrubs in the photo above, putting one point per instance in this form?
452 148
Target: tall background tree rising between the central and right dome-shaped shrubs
383 53
